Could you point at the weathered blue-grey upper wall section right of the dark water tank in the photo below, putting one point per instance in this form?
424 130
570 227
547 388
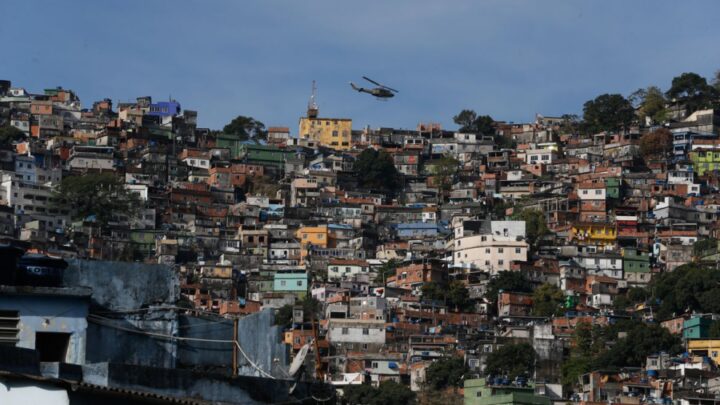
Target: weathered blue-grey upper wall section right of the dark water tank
124 286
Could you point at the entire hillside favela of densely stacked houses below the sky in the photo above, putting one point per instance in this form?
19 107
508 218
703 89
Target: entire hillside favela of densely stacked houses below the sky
146 260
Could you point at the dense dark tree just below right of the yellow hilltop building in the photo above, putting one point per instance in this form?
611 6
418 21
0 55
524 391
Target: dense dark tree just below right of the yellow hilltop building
376 170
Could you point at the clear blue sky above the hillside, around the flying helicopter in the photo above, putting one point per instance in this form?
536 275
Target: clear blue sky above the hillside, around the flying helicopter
506 58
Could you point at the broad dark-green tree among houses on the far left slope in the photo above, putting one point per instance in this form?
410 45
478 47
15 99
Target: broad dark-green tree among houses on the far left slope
101 195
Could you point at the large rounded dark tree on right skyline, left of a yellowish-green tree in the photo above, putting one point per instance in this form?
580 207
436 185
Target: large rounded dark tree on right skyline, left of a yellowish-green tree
608 112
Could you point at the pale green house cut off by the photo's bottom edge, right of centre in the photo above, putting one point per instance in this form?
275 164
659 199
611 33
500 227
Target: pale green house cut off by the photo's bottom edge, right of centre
479 392
